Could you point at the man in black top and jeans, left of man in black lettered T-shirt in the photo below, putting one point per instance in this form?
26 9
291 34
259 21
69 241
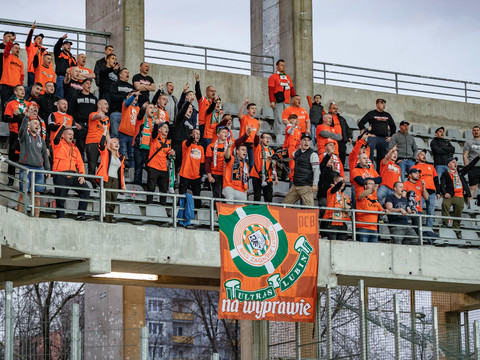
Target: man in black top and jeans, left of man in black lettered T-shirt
119 91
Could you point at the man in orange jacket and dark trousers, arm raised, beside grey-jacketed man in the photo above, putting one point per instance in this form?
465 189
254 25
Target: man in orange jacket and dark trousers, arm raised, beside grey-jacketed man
67 159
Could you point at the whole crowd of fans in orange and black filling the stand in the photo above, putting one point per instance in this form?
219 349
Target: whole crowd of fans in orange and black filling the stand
56 123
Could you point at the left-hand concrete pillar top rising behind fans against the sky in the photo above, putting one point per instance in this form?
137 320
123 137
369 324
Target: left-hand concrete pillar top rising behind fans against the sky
125 20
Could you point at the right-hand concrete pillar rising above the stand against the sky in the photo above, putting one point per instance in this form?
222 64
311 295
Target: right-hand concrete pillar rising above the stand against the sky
283 29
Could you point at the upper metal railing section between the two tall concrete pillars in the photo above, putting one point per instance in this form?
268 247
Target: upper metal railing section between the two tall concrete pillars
208 58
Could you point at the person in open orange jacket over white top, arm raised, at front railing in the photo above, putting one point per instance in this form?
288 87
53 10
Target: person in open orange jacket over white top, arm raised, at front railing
111 168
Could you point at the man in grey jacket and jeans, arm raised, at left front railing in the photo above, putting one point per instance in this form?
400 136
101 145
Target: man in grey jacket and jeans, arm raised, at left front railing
33 155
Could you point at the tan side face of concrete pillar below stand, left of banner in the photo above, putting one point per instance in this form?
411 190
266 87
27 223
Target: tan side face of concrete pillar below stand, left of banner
133 320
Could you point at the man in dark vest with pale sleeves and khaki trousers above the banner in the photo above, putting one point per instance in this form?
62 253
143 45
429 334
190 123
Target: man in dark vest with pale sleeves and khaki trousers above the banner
307 173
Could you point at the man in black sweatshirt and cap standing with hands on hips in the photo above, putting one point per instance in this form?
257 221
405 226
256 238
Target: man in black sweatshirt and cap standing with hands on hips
382 126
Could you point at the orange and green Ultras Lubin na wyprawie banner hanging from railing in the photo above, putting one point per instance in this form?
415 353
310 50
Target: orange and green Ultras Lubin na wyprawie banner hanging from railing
269 263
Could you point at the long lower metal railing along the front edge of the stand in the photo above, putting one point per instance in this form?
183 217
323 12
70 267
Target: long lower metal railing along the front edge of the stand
132 207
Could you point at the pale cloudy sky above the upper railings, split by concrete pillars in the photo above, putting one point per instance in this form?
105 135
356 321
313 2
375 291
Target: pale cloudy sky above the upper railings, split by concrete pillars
425 37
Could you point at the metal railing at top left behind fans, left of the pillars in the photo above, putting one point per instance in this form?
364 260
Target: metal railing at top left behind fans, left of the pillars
84 40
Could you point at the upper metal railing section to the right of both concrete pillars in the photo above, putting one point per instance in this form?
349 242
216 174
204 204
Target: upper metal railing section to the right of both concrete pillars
395 82
